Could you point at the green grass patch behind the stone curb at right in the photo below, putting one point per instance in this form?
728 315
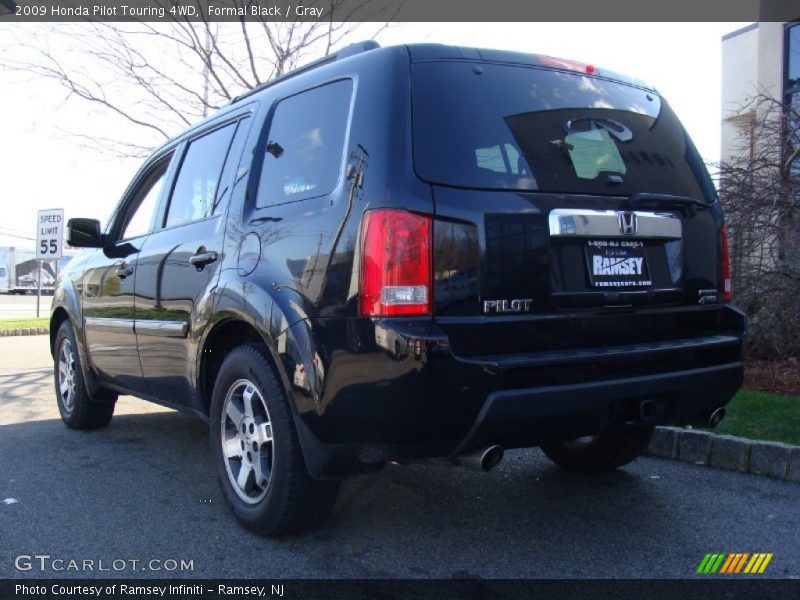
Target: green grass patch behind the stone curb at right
762 416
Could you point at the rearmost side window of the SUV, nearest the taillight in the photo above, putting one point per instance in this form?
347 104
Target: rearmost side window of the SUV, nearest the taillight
303 154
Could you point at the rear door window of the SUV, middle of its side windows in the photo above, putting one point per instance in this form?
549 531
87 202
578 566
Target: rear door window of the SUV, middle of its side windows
197 183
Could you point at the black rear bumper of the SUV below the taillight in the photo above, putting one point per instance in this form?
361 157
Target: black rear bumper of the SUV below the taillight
394 390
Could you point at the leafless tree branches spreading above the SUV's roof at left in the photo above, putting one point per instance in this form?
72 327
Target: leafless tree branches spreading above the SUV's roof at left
162 77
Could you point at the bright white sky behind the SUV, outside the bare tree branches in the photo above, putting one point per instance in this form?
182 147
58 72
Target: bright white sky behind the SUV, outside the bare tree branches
44 167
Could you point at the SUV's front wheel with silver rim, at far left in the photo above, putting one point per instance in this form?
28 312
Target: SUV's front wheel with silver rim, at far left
78 409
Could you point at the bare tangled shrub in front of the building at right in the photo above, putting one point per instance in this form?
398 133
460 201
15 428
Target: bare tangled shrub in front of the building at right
760 188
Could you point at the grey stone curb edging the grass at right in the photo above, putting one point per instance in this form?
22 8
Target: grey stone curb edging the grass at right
773 459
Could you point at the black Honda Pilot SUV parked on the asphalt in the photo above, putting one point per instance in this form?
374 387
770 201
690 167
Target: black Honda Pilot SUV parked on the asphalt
403 253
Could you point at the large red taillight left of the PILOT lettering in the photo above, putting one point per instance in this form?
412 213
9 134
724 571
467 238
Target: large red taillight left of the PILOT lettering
395 264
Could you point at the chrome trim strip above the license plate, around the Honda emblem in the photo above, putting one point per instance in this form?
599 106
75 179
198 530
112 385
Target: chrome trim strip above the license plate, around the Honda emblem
581 222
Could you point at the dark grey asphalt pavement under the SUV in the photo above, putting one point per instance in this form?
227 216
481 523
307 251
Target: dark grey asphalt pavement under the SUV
143 490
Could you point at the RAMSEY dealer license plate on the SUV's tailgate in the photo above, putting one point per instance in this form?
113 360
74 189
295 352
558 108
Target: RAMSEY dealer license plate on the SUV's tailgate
617 263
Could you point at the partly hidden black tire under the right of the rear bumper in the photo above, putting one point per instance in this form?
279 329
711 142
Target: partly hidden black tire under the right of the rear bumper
605 452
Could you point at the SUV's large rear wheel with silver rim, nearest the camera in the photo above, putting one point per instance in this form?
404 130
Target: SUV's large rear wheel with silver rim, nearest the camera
289 501
